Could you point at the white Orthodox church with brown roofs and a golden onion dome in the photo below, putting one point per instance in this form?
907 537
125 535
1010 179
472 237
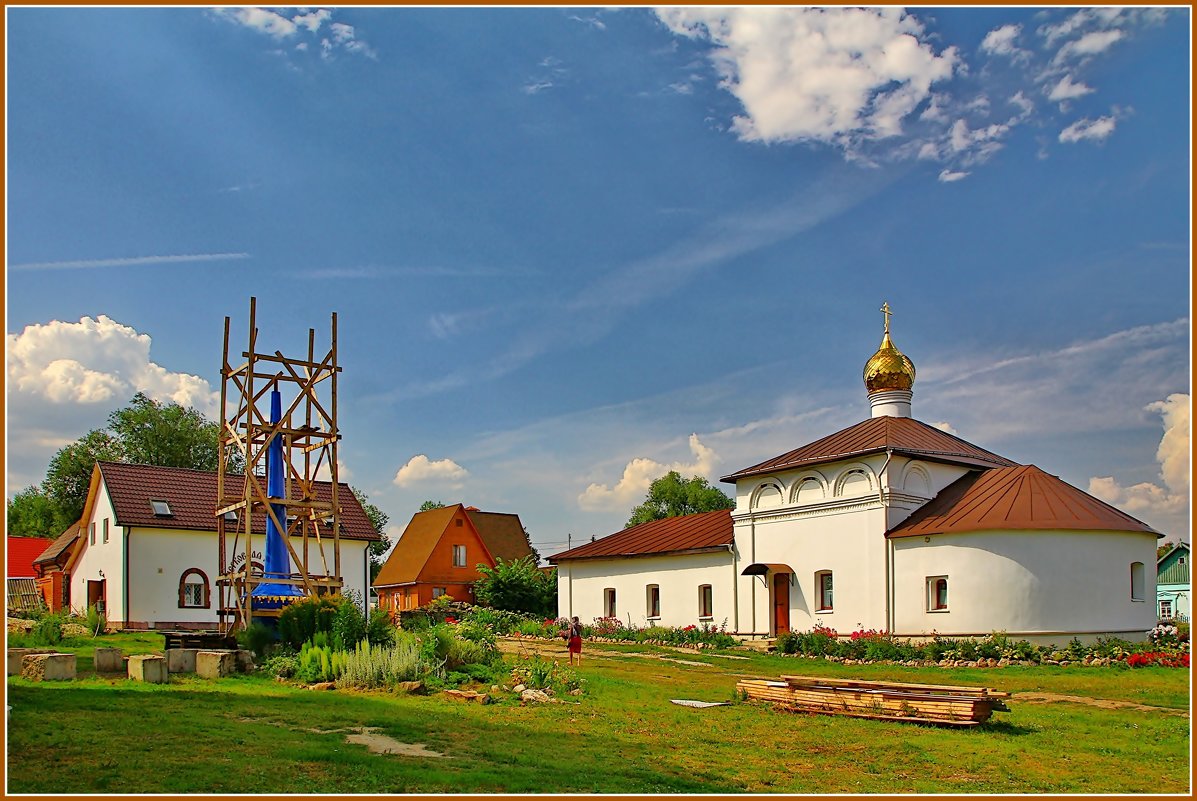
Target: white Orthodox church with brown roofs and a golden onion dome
890 525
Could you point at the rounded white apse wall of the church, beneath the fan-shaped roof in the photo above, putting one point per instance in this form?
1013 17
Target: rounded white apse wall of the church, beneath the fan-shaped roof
1043 584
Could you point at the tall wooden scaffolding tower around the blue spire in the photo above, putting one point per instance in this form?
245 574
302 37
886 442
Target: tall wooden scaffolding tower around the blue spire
311 436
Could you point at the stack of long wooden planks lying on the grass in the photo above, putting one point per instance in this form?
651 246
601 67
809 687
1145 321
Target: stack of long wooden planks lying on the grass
921 703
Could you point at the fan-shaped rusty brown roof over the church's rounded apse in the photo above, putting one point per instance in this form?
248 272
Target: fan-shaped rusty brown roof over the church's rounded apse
1014 499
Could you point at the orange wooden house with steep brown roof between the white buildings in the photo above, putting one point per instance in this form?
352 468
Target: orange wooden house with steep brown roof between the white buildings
440 551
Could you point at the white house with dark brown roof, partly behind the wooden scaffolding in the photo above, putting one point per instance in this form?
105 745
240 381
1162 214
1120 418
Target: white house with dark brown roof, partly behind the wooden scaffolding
149 553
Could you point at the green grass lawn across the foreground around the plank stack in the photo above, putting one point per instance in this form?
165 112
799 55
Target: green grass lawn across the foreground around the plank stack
251 735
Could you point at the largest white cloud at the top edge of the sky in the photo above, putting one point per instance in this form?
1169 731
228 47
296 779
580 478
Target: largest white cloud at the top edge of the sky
837 76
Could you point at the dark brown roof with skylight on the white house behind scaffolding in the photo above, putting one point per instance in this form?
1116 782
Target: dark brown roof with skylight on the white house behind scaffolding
192 496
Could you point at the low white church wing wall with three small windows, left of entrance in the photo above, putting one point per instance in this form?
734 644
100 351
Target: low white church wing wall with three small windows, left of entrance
581 586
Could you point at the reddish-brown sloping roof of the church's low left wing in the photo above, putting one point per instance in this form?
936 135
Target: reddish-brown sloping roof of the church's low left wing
709 530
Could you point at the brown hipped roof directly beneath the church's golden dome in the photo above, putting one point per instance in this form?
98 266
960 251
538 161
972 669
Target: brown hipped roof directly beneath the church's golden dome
903 435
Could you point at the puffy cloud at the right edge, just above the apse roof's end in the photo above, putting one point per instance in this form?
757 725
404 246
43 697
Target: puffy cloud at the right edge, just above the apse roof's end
1164 505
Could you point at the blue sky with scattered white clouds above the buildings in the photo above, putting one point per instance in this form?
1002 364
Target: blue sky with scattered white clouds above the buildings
572 250
